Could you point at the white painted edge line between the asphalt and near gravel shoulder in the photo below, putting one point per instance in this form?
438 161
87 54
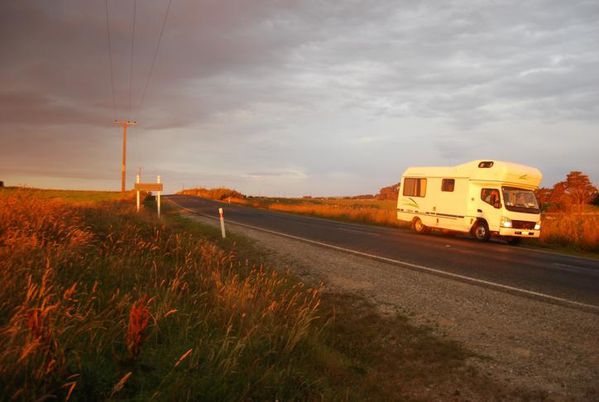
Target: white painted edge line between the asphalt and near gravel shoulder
438 272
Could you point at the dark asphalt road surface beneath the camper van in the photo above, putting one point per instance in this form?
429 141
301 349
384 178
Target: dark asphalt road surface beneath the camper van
534 271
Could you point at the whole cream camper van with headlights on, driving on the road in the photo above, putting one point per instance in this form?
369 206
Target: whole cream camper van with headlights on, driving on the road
485 198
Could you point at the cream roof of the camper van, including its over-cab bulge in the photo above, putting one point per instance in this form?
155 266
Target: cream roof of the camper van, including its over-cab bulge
485 170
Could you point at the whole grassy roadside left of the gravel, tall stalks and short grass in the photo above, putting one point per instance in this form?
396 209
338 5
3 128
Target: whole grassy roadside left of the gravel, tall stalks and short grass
98 302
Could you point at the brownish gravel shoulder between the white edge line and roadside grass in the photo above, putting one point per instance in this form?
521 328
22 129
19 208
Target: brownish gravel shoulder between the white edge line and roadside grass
526 344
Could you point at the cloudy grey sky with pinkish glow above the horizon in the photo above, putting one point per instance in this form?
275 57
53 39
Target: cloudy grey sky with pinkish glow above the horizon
294 98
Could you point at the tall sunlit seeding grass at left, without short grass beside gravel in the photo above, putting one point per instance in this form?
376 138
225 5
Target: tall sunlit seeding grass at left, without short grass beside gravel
97 302
